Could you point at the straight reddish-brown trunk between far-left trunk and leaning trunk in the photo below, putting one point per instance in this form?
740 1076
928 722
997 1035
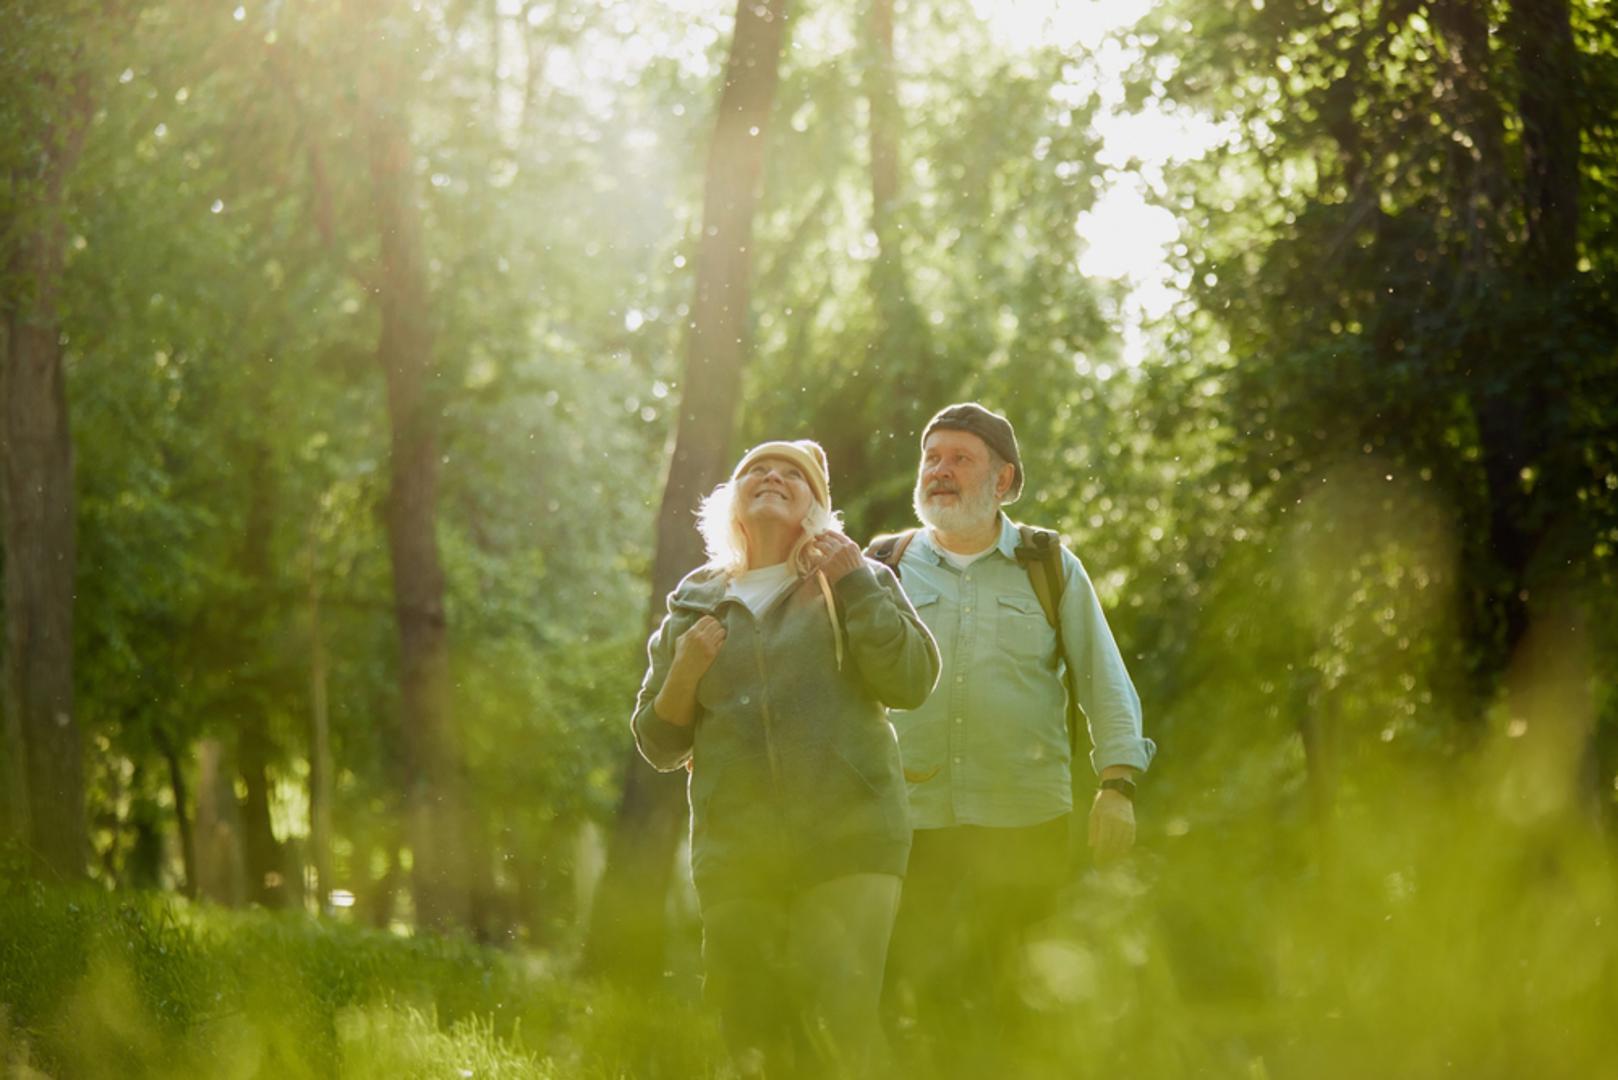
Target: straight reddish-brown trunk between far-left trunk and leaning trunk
405 352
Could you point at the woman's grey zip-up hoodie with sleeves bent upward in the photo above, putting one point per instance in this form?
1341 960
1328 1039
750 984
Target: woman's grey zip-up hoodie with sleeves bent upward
795 770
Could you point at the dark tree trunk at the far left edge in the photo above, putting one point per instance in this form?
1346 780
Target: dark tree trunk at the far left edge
44 752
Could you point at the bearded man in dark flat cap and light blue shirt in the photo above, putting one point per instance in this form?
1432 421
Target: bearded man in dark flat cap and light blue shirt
988 759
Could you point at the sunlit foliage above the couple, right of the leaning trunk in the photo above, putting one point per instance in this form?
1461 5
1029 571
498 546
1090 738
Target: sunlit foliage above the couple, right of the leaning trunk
980 292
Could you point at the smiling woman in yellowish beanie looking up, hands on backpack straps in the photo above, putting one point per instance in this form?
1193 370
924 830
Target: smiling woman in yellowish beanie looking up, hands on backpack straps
771 679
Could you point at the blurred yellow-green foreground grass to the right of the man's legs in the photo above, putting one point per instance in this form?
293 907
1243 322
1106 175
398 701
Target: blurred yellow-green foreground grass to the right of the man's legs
1423 935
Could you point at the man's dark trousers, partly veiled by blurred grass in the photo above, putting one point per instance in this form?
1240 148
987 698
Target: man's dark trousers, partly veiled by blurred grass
970 899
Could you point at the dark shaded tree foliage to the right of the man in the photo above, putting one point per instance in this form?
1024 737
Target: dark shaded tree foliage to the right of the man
1389 401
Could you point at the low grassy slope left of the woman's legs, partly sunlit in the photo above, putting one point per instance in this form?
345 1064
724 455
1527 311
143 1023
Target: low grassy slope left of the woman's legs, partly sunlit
106 985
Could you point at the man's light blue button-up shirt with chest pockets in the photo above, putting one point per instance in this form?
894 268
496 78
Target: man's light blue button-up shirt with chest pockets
991 746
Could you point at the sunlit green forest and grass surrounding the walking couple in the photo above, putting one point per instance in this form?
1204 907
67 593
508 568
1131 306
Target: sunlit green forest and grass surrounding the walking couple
363 365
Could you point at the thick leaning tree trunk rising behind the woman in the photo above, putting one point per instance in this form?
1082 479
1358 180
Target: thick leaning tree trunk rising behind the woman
627 925
